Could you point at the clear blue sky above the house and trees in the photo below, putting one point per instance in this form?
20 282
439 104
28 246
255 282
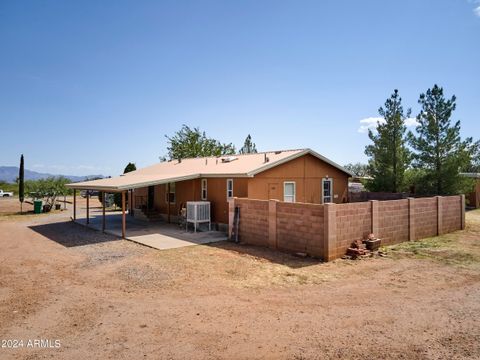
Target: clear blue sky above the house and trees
87 86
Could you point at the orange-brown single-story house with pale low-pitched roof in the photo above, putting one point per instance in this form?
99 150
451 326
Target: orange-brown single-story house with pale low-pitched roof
290 175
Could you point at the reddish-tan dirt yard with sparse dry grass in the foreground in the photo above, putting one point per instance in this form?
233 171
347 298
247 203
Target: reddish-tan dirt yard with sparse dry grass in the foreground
104 298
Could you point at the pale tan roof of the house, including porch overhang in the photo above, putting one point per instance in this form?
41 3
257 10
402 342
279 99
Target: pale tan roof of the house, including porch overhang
247 165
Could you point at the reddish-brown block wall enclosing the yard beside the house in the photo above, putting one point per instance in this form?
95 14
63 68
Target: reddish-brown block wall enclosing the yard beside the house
326 231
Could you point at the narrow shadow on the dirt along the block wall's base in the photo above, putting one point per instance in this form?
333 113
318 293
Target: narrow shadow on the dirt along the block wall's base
274 256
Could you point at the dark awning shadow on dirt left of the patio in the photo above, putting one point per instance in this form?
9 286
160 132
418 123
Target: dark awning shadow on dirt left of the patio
69 234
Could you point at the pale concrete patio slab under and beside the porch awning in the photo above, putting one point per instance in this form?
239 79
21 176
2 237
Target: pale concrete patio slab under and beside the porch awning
158 235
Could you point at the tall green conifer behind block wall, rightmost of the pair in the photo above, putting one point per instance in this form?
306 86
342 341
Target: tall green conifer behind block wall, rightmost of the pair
438 148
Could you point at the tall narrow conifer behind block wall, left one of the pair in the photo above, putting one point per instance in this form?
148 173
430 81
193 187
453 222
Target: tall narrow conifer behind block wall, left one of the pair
389 155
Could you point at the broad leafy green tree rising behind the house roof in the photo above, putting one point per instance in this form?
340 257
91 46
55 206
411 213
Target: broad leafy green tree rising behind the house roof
191 143
